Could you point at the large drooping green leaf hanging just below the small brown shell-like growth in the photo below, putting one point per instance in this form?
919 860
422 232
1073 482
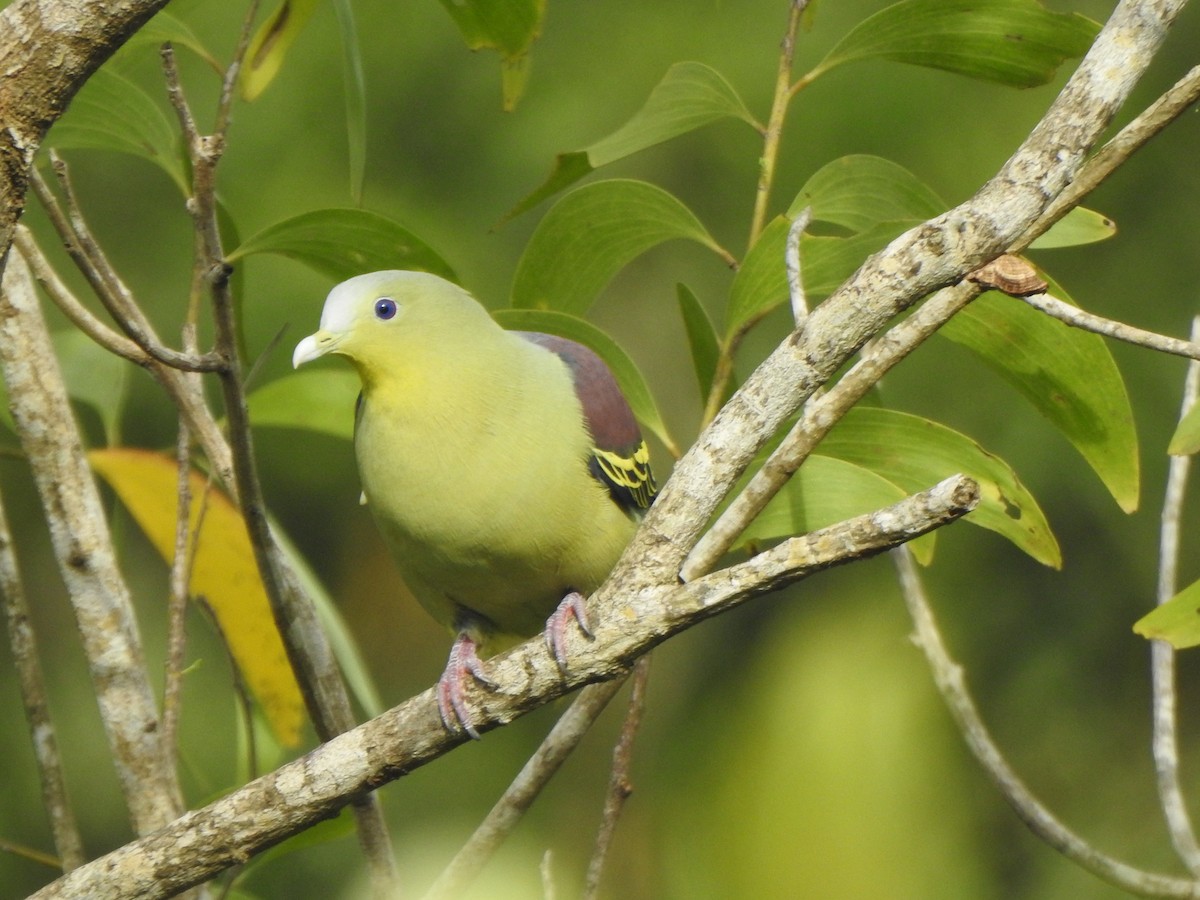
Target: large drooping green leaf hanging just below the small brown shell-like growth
1066 374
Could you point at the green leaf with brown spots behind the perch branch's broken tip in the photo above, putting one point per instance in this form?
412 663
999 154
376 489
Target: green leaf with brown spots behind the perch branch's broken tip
915 454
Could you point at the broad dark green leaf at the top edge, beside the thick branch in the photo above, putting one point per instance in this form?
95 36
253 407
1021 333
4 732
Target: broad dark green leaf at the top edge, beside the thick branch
1013 43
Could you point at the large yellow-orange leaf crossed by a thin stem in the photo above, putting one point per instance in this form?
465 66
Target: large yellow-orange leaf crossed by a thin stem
224 573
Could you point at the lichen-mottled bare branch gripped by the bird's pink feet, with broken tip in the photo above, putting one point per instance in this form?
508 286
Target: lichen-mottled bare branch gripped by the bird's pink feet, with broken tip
206 842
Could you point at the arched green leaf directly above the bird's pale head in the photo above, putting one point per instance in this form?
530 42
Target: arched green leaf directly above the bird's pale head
344 243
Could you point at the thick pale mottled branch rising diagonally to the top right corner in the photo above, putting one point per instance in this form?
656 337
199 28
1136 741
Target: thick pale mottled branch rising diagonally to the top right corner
932 256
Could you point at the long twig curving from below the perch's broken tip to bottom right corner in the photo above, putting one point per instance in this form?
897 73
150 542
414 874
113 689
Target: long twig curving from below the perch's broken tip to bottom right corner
951 683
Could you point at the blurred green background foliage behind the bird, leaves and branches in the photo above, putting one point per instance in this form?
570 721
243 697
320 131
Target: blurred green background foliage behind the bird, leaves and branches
795 748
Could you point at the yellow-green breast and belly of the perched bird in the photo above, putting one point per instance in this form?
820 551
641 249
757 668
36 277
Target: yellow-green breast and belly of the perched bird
477 475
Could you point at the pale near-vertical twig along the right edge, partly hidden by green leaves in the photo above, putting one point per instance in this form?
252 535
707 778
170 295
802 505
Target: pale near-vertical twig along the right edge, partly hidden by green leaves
1166 722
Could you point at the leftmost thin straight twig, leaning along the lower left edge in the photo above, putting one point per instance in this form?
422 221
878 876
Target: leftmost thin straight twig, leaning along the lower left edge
32 682
